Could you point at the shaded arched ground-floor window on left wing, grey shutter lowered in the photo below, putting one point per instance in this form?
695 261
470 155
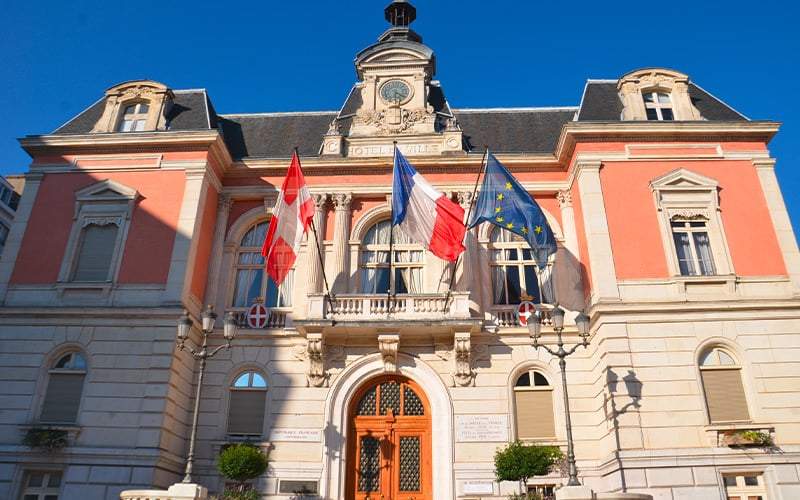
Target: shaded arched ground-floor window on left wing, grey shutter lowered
64 389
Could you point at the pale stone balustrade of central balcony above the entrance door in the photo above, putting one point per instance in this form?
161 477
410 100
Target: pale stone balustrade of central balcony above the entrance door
357 307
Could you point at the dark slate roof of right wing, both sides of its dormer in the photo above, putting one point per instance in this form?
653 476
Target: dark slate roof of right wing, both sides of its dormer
601 102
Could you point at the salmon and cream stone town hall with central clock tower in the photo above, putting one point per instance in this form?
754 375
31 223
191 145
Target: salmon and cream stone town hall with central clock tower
376 369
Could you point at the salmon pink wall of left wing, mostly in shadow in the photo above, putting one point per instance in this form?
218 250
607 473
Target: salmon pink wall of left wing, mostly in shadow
150 237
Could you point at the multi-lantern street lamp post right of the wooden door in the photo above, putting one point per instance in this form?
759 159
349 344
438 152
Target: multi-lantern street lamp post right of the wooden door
582 322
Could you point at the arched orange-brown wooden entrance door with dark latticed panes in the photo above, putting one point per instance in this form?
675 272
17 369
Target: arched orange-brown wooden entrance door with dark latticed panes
389 444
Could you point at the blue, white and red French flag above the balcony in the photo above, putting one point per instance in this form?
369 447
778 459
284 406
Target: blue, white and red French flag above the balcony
424 214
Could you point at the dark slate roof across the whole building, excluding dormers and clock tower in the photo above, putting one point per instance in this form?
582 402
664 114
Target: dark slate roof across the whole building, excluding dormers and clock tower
503 130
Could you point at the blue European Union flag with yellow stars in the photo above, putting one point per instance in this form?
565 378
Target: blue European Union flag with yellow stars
505 203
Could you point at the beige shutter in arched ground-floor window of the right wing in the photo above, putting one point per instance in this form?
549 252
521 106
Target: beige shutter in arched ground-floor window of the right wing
725 396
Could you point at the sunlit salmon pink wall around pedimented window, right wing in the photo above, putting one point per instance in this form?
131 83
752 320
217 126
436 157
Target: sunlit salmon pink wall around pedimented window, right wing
633 219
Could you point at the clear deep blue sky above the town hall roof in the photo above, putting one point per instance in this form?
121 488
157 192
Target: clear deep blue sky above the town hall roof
263 56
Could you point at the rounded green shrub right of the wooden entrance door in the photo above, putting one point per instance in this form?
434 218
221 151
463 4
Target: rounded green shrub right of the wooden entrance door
518 462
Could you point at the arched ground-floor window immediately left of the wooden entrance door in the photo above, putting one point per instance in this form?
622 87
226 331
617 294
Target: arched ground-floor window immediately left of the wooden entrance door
247 404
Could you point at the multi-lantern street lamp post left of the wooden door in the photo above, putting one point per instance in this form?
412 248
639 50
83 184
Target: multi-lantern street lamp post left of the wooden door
208 317
